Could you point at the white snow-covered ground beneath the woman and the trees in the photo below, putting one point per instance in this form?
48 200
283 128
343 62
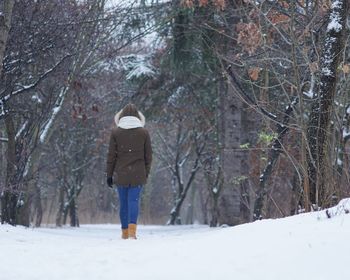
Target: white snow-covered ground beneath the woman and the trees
308 246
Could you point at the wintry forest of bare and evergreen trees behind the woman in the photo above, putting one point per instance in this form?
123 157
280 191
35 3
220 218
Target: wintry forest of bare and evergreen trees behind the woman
247 103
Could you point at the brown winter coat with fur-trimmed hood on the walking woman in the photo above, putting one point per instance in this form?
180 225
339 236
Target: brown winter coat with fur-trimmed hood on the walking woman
129 155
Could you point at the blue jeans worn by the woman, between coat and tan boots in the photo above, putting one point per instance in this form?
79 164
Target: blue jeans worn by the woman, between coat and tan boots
129 197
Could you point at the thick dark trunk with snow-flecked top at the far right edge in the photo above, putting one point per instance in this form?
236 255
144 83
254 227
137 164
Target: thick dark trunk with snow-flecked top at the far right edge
319 165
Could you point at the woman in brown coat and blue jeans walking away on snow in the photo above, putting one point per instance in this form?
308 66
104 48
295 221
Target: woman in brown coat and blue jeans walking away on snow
129 159
